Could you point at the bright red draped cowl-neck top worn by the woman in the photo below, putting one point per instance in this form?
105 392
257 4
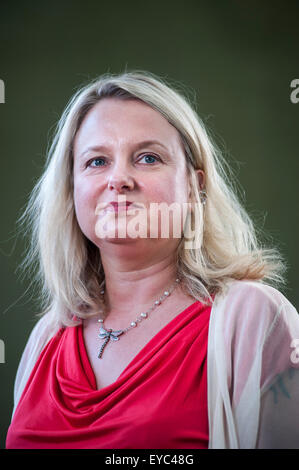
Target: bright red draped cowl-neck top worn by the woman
159 401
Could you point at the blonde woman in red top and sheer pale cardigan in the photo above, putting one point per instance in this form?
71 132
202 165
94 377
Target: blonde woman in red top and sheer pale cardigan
147 340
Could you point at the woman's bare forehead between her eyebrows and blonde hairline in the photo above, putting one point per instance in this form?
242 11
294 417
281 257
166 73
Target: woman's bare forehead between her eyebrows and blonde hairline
115 122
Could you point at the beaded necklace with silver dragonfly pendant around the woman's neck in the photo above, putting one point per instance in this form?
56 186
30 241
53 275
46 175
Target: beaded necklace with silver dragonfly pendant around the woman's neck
108 334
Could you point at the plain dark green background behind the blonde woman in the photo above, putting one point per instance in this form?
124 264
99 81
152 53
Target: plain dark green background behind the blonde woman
238 57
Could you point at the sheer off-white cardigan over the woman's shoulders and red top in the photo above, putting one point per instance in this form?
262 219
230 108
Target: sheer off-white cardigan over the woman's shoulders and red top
253 368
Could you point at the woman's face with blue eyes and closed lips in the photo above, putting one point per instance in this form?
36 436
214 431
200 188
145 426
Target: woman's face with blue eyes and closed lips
125 153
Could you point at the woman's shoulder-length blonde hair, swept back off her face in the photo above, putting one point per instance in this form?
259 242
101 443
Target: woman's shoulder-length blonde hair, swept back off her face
67 266
